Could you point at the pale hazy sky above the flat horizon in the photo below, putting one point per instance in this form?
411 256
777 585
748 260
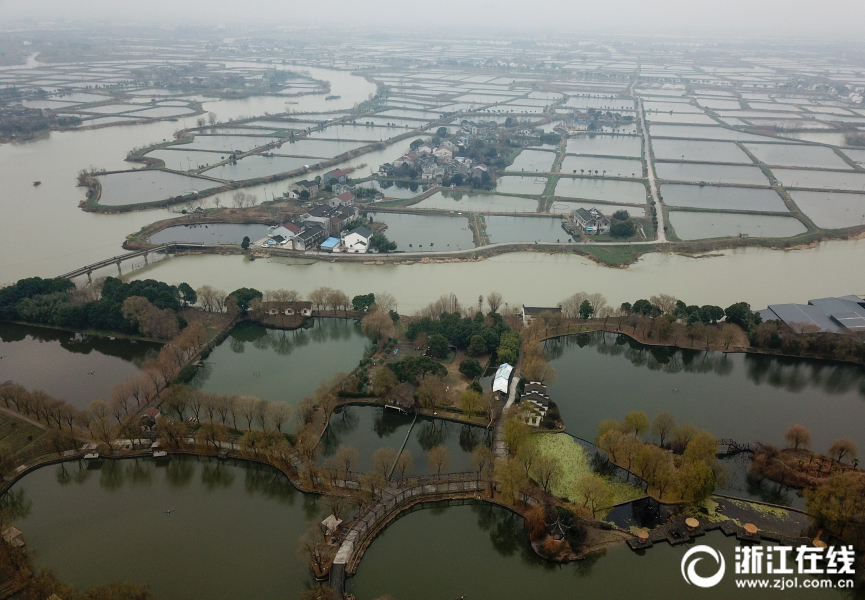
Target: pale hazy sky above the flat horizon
831 19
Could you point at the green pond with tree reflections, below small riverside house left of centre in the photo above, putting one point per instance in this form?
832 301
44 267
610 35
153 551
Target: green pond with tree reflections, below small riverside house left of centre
281 365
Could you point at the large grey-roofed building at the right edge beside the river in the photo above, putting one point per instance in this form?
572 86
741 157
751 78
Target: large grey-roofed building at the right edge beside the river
845 314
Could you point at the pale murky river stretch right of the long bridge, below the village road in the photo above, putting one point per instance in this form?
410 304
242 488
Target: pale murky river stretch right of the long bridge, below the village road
756 275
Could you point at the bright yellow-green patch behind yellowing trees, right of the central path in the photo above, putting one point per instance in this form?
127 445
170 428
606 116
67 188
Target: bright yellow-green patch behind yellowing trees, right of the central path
576 463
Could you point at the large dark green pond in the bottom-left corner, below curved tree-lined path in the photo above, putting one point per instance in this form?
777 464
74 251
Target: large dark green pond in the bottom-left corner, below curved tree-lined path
232 533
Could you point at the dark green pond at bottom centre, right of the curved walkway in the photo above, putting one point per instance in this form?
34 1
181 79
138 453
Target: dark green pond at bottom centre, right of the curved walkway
481 551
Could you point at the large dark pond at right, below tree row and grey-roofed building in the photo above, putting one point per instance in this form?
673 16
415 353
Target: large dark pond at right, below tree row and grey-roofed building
747 397
